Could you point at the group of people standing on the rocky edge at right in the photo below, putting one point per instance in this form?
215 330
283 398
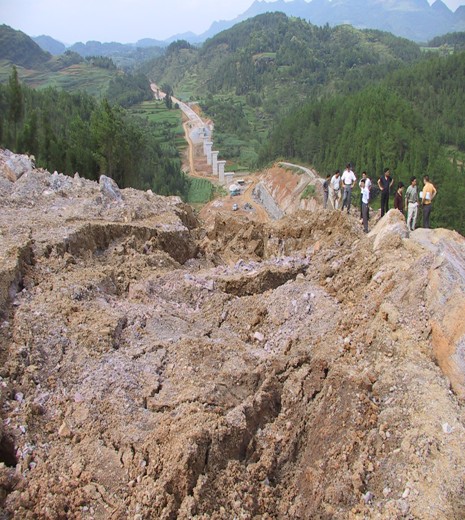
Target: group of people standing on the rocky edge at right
339 187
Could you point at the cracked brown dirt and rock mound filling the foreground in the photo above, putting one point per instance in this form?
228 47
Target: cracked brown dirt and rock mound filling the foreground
151 368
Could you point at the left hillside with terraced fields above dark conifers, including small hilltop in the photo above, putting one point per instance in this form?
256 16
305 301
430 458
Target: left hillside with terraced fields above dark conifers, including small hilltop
73 119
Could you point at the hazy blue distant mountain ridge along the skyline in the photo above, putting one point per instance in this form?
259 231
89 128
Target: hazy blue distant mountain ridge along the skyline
412 19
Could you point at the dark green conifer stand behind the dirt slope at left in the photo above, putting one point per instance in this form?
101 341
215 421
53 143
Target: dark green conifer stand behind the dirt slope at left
75 132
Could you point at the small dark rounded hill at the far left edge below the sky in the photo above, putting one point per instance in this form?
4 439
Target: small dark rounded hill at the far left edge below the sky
17 48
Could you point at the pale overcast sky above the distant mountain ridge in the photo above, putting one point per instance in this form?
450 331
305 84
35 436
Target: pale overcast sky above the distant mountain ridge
125 21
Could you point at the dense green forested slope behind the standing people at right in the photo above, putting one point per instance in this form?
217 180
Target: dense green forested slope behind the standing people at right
411 122
